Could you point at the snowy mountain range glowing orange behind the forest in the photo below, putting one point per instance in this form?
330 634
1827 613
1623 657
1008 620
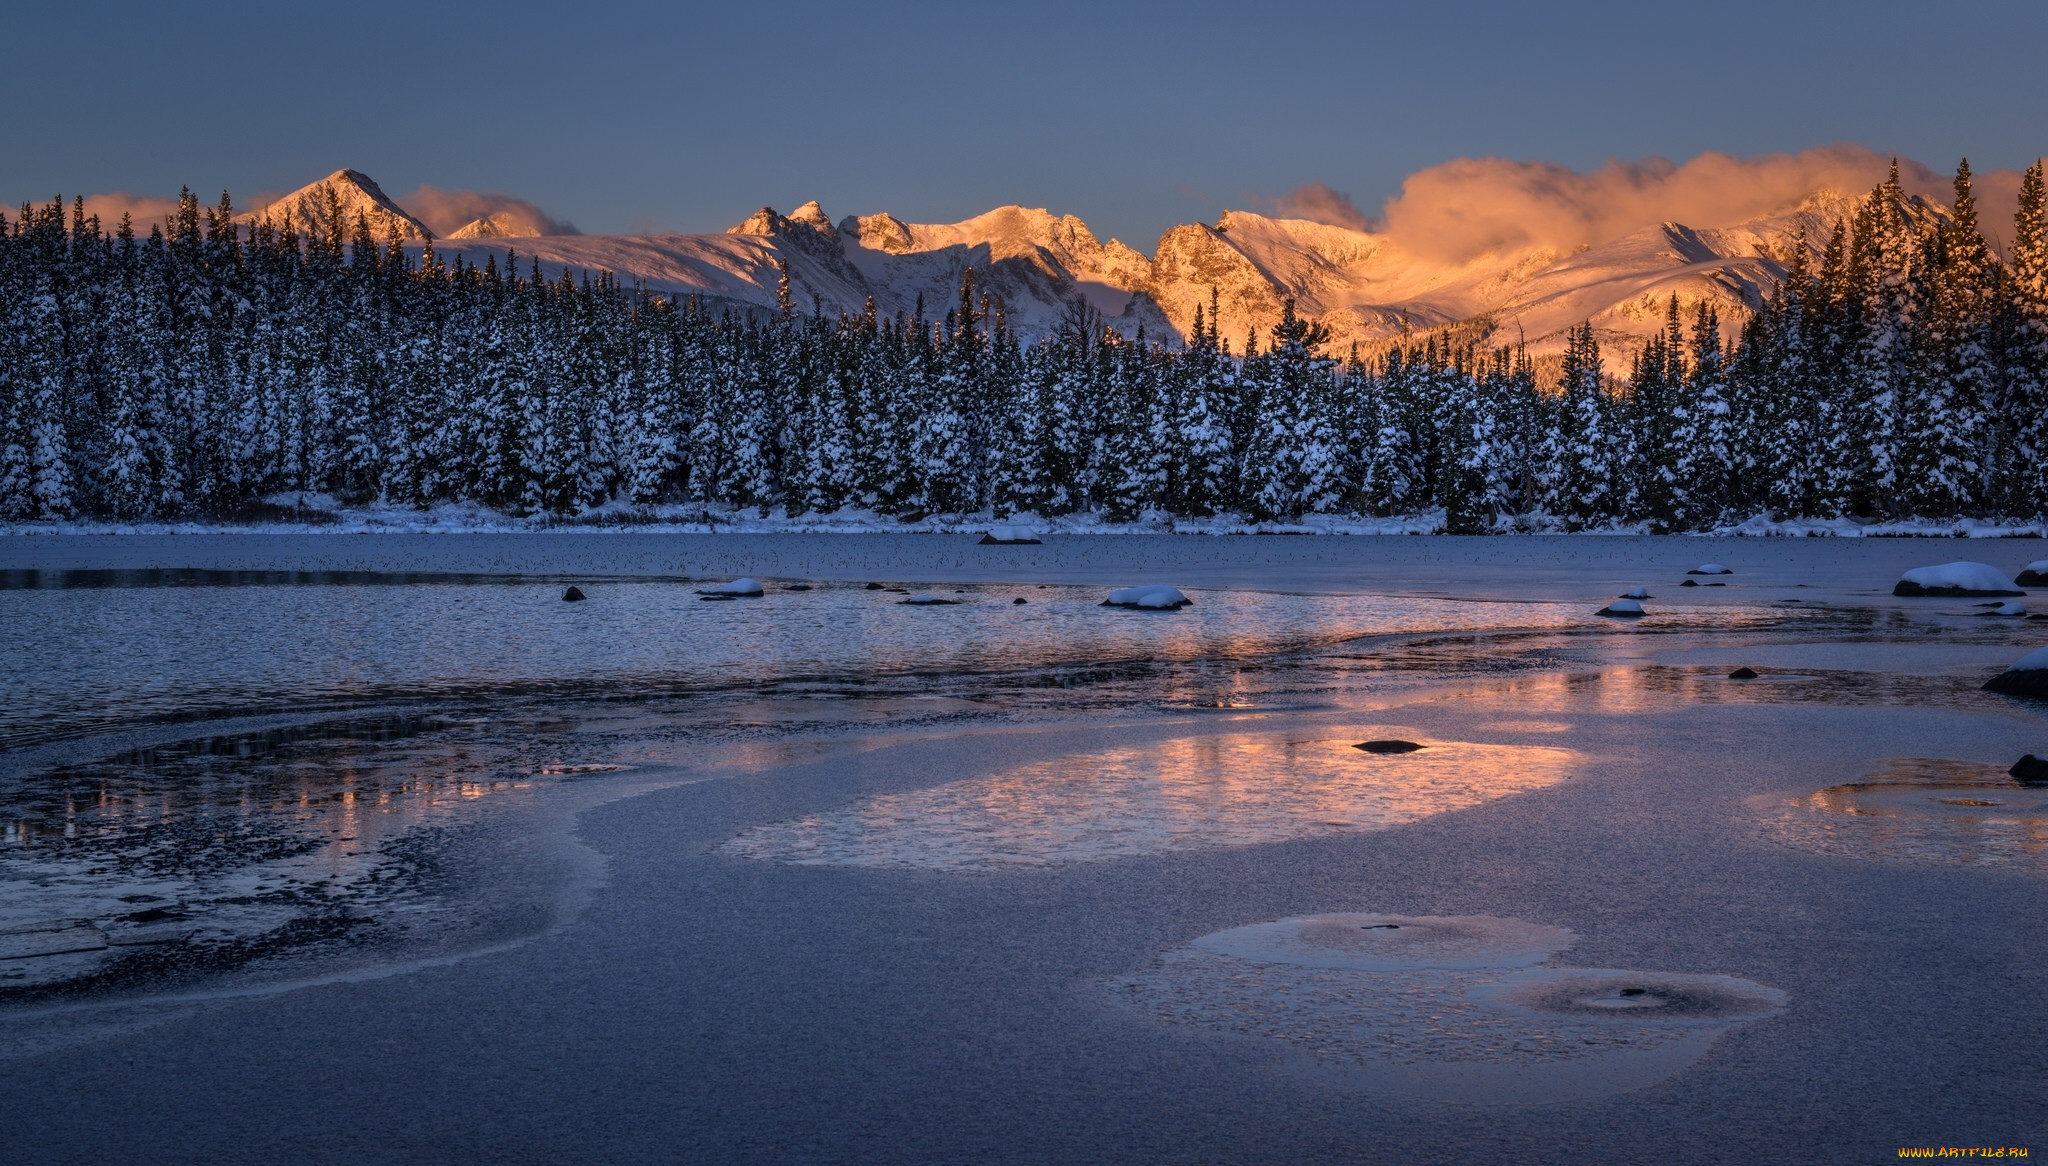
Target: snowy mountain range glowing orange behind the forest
1365 288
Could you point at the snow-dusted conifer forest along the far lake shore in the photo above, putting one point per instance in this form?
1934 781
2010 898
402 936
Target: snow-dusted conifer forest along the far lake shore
204 366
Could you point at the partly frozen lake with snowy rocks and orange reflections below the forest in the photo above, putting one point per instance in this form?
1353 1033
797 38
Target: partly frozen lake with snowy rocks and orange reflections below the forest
835 876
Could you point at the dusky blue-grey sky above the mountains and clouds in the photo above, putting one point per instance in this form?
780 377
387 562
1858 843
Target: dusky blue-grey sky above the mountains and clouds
1132 116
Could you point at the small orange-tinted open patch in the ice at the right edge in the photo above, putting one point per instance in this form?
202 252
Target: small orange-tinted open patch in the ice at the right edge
1924 810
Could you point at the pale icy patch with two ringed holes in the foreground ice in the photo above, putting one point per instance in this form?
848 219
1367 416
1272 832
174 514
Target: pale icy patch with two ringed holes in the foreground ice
1484 1028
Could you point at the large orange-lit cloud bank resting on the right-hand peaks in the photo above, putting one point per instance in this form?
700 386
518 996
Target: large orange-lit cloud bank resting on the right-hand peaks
1474 206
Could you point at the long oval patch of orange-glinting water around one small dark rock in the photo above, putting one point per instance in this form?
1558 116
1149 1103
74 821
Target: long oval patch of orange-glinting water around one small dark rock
1234 790
